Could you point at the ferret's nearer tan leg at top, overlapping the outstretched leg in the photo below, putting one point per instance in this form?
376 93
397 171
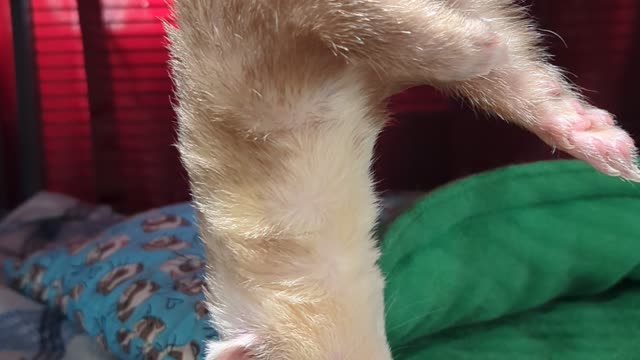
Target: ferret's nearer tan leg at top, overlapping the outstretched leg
407 41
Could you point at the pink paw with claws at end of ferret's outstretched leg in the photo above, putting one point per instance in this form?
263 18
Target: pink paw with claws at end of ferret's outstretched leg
591 135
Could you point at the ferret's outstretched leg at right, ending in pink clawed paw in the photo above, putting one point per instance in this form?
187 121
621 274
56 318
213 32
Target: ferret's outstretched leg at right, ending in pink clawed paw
534 94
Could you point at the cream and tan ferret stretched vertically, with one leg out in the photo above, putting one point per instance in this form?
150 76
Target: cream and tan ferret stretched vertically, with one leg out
279 104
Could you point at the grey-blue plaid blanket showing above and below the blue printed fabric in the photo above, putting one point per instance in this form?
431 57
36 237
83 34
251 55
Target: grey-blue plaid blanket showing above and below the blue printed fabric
29 330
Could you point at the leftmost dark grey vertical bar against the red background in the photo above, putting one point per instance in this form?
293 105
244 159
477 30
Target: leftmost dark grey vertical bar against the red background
30 157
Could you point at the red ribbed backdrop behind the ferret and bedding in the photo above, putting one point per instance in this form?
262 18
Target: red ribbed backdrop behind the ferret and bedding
432 141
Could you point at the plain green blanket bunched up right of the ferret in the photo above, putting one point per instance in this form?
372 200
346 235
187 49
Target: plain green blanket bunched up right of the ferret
539 262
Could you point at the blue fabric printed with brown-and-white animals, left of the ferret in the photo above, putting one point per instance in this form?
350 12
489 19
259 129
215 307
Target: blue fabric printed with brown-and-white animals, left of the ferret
137 287
